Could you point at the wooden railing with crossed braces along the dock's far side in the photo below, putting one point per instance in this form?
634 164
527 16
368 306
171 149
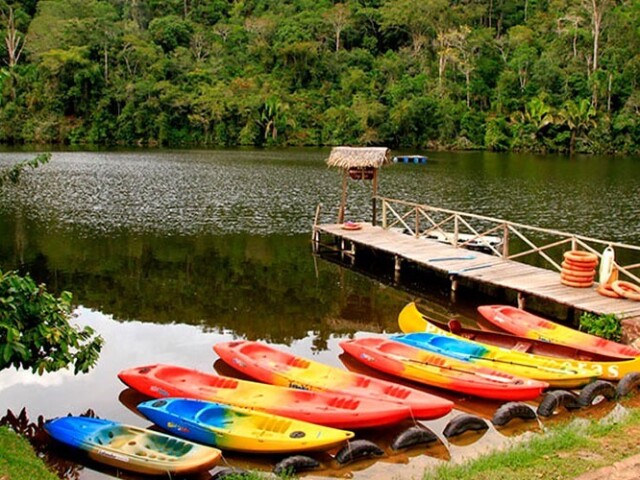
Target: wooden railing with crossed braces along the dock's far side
508 240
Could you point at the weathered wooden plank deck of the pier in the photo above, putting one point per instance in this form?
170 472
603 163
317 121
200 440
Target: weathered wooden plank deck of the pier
476 268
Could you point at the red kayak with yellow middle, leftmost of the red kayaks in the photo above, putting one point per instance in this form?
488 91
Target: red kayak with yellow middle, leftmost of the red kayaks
328 409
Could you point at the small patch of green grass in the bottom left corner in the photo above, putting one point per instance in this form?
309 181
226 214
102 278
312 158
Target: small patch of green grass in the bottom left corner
18 461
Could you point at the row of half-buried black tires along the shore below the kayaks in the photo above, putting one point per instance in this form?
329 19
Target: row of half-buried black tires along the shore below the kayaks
421 435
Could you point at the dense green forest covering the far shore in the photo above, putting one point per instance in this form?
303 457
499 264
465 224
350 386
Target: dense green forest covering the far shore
518 75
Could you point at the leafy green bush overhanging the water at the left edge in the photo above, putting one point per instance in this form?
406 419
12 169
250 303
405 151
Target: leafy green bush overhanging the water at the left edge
35 332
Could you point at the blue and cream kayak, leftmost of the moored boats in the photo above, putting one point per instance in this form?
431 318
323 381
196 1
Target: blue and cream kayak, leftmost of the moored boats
132 448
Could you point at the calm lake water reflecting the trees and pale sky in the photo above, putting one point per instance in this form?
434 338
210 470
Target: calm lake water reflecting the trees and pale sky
169 252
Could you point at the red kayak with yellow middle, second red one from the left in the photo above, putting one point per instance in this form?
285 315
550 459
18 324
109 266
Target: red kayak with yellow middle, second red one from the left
270 365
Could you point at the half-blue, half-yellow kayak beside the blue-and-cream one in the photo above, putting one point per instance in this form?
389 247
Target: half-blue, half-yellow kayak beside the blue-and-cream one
240 429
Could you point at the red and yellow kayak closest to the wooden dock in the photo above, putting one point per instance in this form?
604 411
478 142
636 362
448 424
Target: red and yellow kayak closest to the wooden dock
524 324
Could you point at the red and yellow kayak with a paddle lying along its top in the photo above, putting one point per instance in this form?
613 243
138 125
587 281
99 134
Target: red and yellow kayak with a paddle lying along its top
440 371
